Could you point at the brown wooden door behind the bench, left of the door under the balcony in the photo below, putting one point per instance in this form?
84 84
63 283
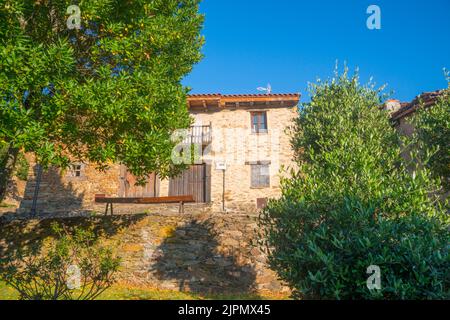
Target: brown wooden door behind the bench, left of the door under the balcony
129 189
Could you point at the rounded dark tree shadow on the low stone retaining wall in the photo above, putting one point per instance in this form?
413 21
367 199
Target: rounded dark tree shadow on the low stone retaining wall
193 257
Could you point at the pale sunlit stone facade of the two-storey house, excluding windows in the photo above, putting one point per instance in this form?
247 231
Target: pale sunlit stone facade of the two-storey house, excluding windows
234 144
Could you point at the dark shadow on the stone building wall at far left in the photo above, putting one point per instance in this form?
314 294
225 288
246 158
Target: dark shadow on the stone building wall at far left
53 196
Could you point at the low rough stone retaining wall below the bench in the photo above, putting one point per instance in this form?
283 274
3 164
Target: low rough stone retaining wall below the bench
196 253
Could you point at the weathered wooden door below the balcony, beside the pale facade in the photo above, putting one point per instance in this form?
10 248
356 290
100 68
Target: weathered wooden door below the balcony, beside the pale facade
196 182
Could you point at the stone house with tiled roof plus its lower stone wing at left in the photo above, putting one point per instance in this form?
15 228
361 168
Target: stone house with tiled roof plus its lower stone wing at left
244 146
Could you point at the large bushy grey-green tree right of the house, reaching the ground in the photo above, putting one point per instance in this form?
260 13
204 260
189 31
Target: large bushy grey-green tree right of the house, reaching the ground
353 204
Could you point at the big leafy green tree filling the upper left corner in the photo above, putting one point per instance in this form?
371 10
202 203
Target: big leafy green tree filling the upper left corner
106 93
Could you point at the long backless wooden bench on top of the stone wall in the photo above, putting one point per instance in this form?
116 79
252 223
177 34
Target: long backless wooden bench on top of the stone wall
181 200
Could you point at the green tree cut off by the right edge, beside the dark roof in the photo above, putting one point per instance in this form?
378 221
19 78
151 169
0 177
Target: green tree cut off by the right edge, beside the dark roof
433 134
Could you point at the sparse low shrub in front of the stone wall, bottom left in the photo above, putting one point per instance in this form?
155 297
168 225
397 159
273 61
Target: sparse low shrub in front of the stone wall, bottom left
71 267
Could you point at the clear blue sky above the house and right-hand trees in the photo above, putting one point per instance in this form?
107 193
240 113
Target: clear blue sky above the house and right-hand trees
289 43
